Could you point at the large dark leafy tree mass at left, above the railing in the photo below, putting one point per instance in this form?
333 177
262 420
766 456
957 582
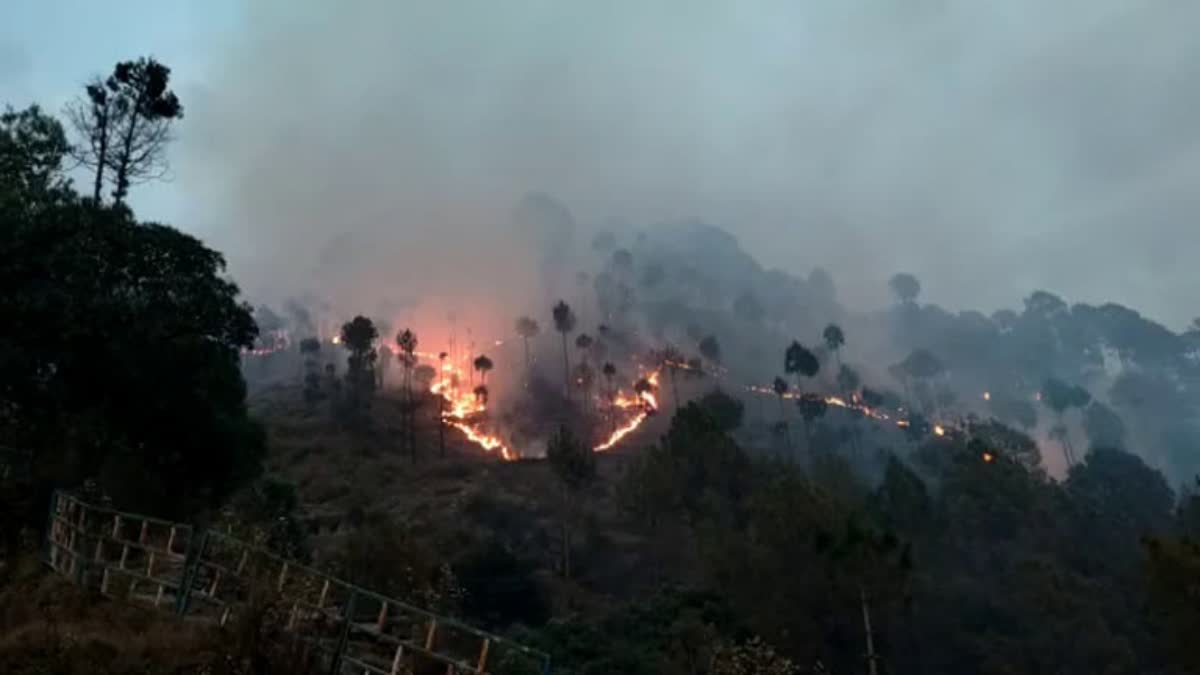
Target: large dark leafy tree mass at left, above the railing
121 357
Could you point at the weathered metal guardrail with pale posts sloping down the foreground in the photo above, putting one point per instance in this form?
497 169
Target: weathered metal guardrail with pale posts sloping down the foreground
207 576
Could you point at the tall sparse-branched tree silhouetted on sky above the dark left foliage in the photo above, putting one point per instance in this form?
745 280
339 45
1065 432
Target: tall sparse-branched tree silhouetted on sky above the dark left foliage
125 124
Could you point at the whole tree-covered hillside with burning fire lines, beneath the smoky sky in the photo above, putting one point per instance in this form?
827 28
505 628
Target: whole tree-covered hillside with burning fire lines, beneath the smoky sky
910 533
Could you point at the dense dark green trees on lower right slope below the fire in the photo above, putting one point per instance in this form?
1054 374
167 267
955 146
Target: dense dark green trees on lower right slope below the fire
963 564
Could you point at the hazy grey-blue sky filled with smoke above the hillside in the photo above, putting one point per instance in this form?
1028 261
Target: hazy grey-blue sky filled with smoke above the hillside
991 148
